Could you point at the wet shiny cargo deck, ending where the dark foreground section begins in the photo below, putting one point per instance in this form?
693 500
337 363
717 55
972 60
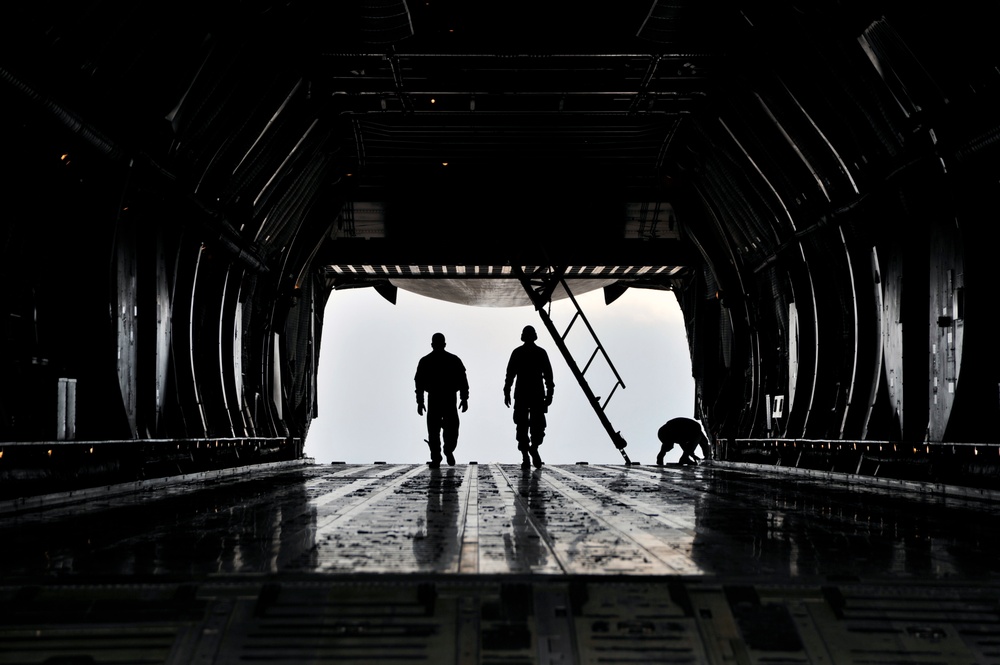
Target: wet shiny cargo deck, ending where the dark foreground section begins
500 519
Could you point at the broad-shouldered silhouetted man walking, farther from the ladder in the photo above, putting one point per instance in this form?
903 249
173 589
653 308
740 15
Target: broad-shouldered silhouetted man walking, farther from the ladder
441 375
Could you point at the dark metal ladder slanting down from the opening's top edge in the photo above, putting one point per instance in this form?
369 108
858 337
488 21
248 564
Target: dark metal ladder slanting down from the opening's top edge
540 283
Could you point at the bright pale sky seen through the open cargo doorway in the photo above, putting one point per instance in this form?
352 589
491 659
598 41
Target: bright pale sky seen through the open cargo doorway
370 350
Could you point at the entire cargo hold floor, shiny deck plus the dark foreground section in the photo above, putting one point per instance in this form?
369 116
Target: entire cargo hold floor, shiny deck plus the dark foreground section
492 563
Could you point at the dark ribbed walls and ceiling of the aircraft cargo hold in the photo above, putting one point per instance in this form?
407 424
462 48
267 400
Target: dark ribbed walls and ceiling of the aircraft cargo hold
188 184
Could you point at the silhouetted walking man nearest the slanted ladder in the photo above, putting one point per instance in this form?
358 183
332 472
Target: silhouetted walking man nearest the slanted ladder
529 365
